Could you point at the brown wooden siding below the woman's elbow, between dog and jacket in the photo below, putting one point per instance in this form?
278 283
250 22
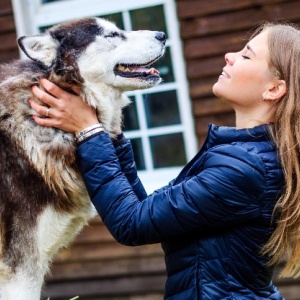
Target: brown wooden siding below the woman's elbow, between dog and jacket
96 267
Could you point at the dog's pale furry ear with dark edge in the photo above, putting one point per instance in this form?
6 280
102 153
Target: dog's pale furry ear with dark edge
41 48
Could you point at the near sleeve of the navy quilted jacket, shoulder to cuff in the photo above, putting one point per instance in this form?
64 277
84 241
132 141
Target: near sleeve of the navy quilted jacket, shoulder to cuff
225 192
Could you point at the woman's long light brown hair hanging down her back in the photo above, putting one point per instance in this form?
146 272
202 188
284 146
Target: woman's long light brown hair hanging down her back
284 49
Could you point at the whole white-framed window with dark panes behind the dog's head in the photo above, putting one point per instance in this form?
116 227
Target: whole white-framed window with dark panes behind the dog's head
159 120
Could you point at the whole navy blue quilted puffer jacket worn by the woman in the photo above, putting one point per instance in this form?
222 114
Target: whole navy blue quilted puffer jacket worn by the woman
212 220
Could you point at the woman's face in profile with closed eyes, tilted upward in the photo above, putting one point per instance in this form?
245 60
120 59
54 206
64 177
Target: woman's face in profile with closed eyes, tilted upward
246 75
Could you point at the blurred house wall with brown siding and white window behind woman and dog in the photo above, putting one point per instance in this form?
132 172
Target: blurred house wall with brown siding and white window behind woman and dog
166 124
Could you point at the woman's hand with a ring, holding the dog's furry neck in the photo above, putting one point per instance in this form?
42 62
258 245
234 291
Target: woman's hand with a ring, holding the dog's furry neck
64 111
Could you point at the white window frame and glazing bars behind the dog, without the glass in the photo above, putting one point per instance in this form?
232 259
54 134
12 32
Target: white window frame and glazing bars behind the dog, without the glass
31 14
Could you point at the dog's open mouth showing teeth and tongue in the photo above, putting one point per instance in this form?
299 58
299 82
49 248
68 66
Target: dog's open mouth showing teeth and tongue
137 70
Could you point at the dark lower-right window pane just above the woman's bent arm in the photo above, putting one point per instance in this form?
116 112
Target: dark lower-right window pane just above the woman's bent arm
168 150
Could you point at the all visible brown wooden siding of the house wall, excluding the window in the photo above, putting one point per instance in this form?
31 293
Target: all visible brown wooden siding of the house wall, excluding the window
95 266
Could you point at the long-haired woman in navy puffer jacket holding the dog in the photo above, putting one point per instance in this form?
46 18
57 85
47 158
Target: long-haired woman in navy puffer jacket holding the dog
216 220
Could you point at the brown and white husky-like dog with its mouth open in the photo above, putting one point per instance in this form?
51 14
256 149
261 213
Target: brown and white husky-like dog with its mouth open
43 200
